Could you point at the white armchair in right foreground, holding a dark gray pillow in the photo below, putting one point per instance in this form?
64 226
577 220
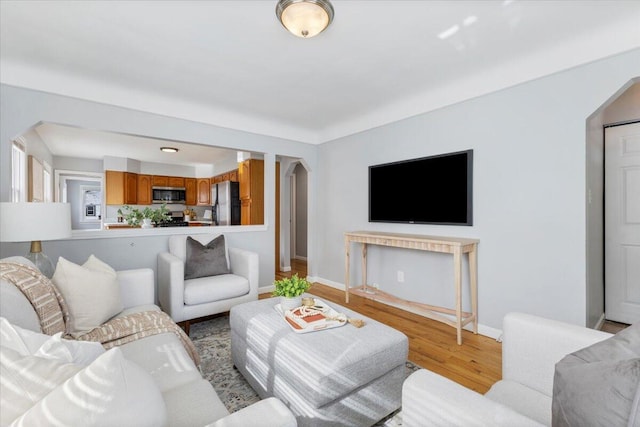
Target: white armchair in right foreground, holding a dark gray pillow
531 348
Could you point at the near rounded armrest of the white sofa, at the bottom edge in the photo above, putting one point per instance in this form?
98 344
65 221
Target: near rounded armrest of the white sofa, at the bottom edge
269 412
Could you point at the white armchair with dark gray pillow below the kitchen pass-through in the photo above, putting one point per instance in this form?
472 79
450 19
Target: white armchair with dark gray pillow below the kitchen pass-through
186 300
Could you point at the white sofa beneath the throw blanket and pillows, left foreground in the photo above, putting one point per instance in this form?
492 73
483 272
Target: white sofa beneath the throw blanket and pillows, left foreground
190 400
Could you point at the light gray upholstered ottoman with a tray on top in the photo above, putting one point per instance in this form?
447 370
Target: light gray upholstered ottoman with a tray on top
344 376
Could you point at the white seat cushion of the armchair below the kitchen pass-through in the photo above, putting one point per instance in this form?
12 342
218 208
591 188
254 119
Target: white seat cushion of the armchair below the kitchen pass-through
214 288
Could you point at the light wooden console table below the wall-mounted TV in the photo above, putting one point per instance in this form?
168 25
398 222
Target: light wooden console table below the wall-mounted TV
452 245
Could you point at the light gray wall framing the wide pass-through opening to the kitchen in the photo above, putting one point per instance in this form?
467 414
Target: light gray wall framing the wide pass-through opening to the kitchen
21 108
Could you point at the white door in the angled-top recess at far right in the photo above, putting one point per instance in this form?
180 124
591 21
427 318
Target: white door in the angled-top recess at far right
622 223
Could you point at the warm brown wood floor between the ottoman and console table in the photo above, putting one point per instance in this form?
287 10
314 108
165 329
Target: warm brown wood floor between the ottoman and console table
476 364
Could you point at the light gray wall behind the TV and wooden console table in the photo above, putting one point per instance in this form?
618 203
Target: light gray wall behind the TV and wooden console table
529 146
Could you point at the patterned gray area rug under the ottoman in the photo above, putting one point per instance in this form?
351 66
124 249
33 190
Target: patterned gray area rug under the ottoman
212 338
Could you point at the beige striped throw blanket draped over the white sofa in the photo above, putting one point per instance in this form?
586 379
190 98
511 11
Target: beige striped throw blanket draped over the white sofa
53 313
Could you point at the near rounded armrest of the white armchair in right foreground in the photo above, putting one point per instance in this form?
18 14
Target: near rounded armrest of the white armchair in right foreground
429 399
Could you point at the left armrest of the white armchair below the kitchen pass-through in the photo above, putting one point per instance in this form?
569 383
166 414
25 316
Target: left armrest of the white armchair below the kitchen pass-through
171 285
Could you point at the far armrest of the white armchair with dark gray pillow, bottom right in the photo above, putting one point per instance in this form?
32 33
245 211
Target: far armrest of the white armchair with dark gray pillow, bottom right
532 345
